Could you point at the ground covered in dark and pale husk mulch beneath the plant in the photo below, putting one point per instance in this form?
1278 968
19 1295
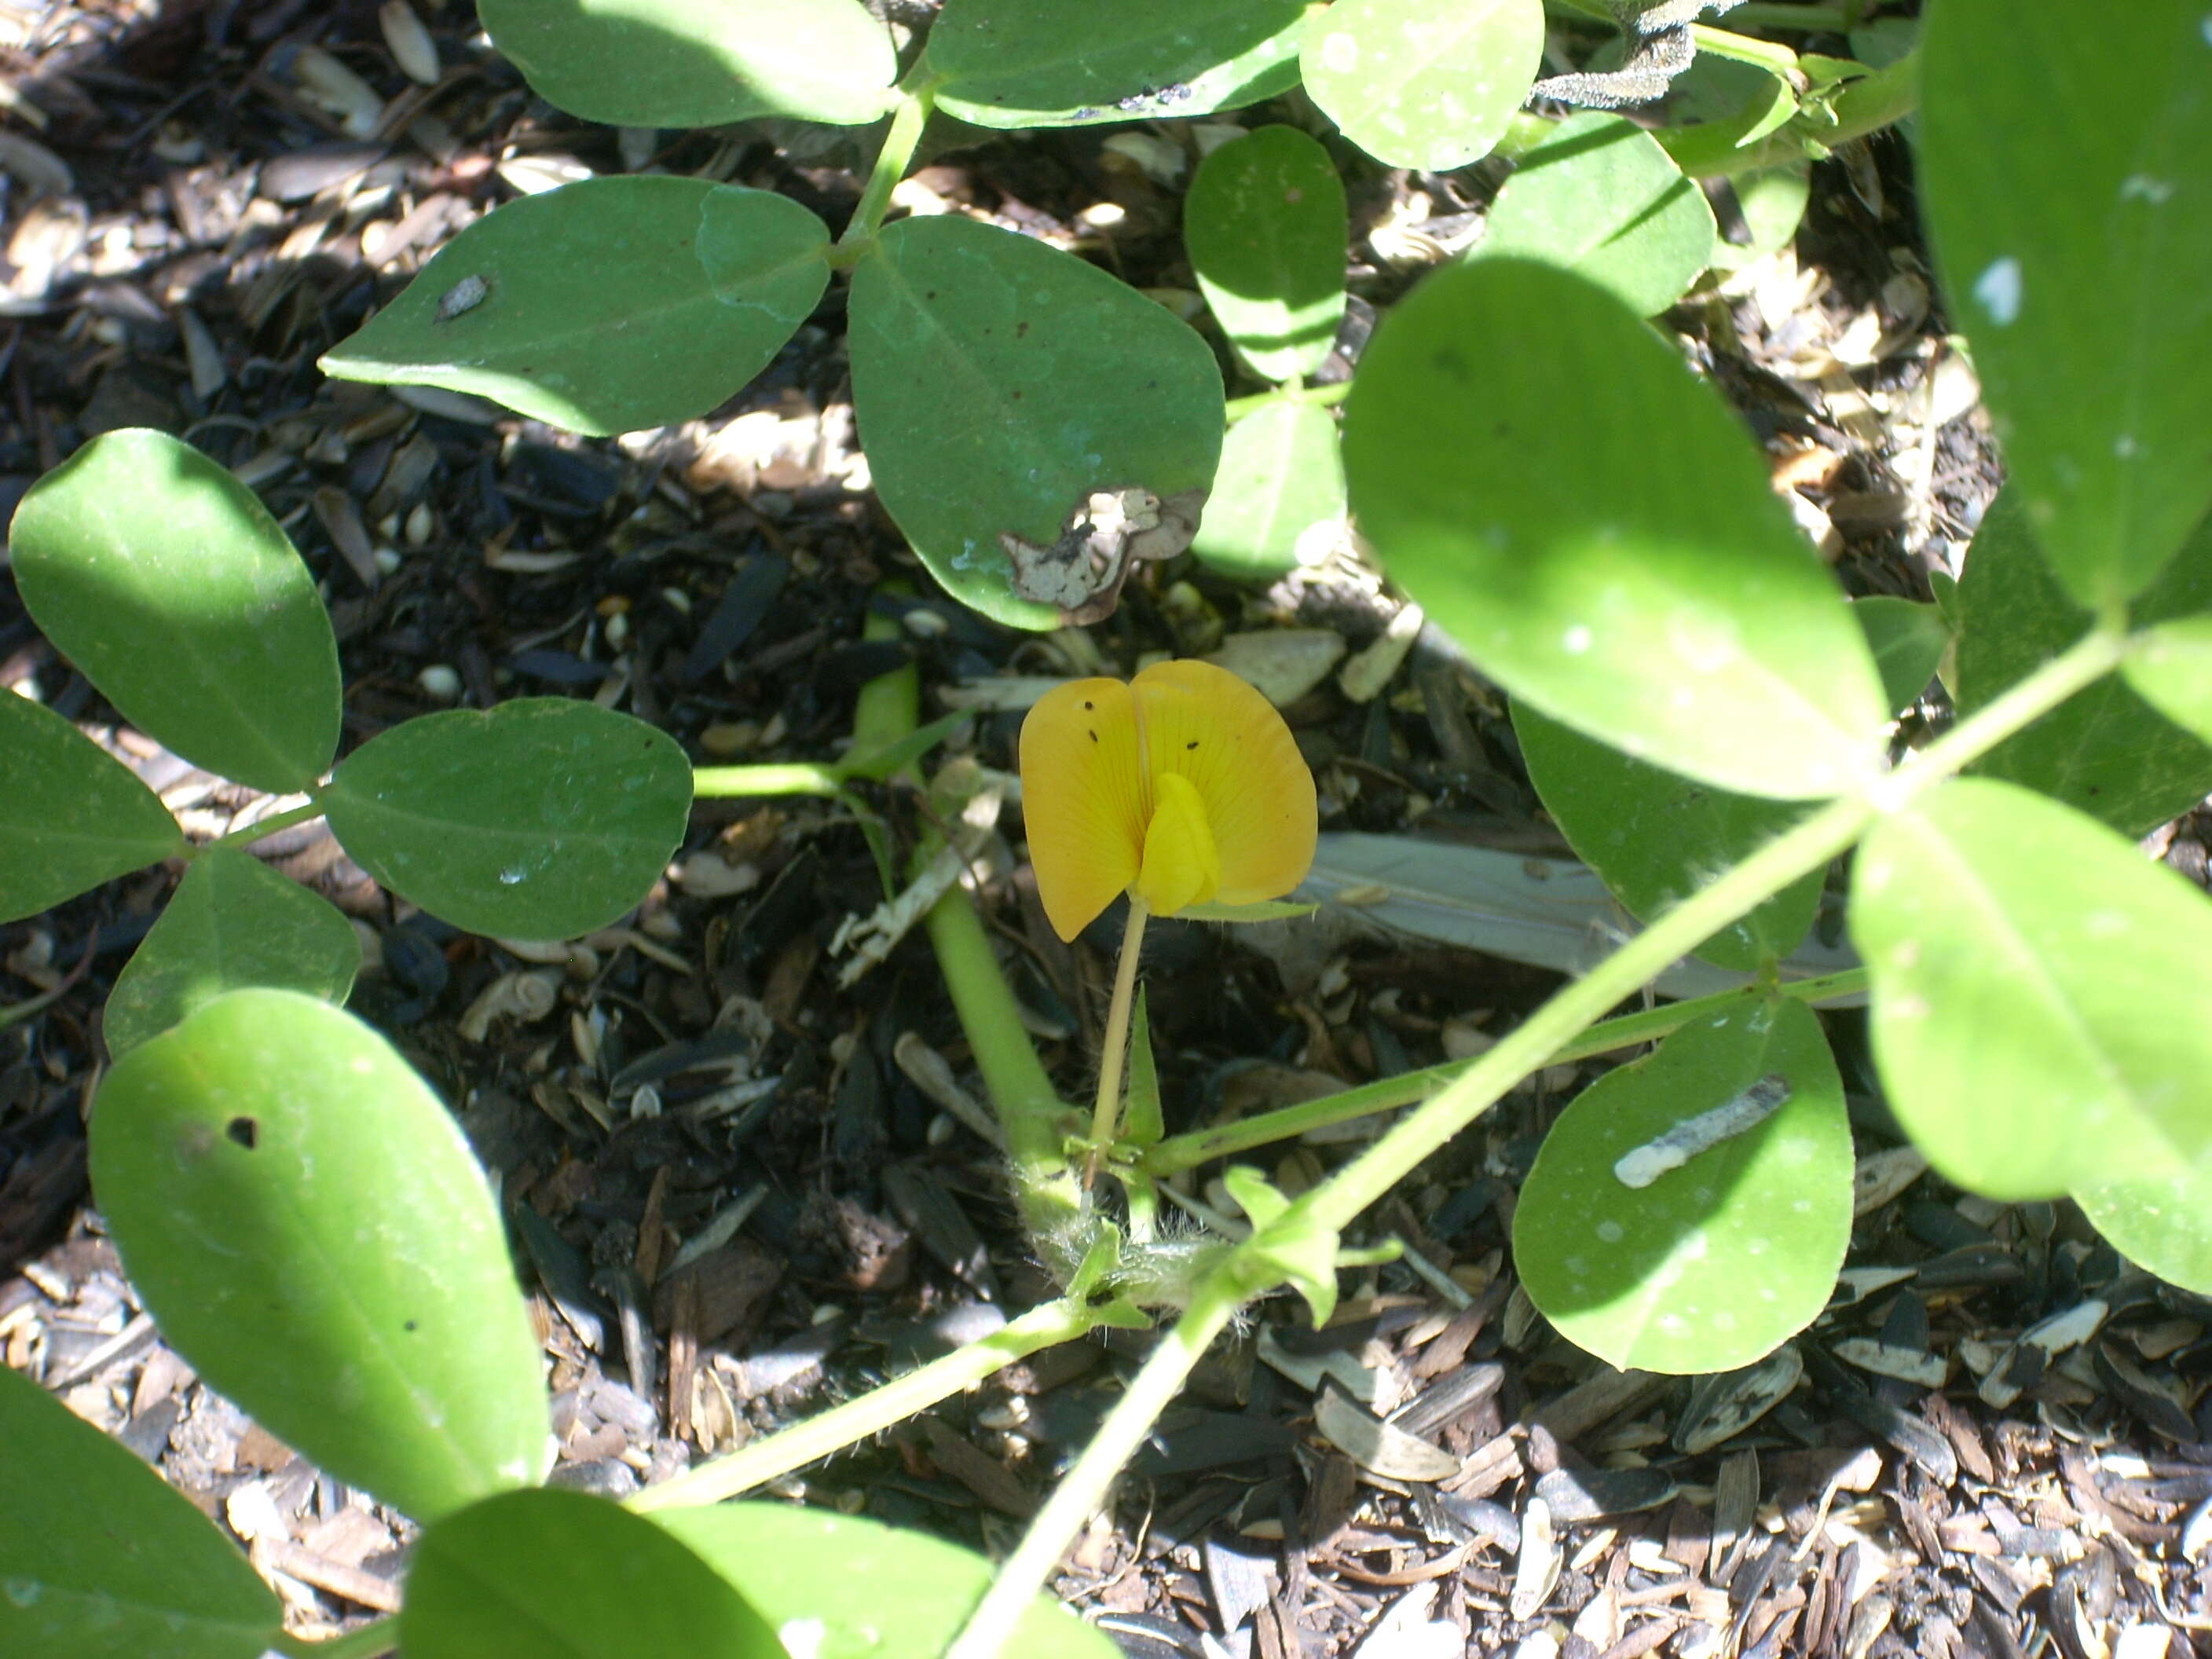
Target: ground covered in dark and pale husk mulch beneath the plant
735 1187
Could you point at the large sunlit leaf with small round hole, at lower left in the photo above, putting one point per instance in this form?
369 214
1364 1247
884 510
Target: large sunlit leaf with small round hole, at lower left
311 1231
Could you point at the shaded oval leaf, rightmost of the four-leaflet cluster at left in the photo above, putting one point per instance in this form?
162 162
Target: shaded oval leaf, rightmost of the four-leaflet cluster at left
539 820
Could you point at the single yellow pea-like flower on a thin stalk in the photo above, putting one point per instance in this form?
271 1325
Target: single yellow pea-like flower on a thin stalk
1182 789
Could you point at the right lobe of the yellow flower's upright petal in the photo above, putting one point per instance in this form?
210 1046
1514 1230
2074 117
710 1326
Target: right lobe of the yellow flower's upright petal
1218 731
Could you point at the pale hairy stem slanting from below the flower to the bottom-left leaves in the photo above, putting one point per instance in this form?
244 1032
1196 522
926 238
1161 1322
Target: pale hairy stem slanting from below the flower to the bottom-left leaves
846 1426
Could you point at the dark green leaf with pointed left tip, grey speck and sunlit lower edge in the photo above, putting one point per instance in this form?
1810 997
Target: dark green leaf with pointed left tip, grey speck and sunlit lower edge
603 306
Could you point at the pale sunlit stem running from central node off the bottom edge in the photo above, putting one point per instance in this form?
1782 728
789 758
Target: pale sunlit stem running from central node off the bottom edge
1085 1488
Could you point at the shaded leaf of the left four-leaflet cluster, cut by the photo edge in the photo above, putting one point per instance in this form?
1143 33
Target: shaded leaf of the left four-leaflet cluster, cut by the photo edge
72 815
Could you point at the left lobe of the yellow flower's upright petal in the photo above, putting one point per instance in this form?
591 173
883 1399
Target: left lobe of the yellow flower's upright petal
1083 800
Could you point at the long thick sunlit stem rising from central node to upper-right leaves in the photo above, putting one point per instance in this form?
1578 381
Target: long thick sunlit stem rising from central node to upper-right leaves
1682 930
